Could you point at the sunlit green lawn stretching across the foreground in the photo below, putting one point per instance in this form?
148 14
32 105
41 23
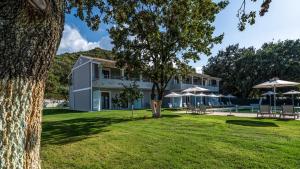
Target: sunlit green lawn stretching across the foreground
112 139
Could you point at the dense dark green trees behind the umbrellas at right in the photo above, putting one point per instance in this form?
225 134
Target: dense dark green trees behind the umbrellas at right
242 68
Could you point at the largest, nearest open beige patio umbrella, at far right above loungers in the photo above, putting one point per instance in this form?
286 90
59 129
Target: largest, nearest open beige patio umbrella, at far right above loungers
274 83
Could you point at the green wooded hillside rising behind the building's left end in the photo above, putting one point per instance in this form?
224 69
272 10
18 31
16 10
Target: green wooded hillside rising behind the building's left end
57 82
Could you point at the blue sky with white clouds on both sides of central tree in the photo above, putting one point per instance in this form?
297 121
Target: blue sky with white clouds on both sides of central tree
280 23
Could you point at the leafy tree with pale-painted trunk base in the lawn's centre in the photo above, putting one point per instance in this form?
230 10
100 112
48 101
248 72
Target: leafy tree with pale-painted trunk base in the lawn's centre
158 38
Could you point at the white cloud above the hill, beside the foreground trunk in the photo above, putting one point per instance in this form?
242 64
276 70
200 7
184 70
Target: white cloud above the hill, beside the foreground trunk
72 41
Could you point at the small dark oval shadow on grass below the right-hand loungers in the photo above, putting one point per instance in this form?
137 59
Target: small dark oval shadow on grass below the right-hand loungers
252 123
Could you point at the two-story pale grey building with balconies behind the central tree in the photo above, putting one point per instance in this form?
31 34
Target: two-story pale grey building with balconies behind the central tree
94 82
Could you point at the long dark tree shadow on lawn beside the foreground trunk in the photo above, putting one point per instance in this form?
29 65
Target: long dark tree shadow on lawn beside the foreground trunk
72 130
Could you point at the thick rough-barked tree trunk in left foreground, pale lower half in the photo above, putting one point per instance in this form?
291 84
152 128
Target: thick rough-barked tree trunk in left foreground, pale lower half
28 42
